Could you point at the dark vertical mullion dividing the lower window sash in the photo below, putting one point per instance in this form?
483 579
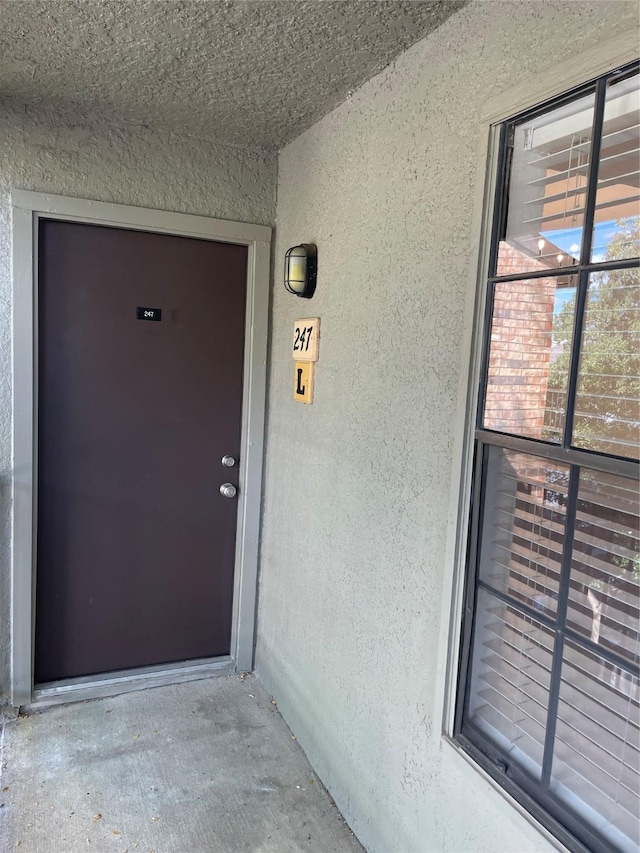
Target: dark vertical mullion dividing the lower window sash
561 616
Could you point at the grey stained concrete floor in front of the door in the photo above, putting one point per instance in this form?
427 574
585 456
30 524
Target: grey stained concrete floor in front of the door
206 766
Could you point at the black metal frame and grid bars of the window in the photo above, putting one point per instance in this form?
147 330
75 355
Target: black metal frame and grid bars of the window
530 793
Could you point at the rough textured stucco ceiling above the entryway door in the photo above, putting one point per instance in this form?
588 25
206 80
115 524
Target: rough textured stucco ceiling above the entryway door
252 73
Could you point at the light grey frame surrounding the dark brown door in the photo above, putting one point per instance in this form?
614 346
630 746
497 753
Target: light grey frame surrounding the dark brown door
28 209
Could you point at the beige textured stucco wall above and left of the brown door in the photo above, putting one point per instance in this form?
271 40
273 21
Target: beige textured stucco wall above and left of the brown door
41 151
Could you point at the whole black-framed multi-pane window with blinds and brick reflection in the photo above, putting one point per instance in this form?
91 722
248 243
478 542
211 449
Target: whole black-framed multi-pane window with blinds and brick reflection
549 689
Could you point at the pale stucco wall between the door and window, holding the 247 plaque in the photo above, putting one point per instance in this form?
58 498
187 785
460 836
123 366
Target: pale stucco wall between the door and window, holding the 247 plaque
359 486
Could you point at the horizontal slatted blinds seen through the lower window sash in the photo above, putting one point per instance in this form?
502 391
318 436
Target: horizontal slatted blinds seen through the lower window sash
596 750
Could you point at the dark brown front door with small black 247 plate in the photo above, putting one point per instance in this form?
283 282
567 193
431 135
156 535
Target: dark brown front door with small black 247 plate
140 351
